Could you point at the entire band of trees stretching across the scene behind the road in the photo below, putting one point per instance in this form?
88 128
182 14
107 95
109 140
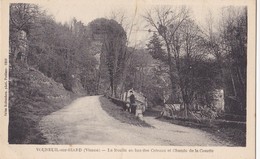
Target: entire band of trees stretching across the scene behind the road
182 62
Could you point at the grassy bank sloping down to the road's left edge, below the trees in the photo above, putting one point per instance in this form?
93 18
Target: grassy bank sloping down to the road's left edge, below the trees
32 96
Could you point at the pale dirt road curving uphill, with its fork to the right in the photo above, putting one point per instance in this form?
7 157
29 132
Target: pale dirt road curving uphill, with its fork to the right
85 122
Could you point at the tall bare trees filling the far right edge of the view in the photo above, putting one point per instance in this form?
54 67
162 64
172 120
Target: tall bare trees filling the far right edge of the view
228 44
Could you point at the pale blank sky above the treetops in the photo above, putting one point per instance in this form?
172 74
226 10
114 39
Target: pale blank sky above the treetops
88 10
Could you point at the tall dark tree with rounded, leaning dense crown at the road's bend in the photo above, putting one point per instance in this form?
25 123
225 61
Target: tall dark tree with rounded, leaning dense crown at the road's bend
114 51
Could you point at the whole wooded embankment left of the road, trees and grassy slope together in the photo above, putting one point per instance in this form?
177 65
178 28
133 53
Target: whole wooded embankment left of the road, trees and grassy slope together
54 50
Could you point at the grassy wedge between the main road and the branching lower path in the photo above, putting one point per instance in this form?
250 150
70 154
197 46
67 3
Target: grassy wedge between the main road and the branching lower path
118 113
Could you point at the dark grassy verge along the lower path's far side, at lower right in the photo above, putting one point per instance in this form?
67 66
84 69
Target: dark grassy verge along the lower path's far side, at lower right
234 135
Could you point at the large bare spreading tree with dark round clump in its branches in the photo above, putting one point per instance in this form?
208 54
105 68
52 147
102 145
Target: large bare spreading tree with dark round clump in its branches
186 55
